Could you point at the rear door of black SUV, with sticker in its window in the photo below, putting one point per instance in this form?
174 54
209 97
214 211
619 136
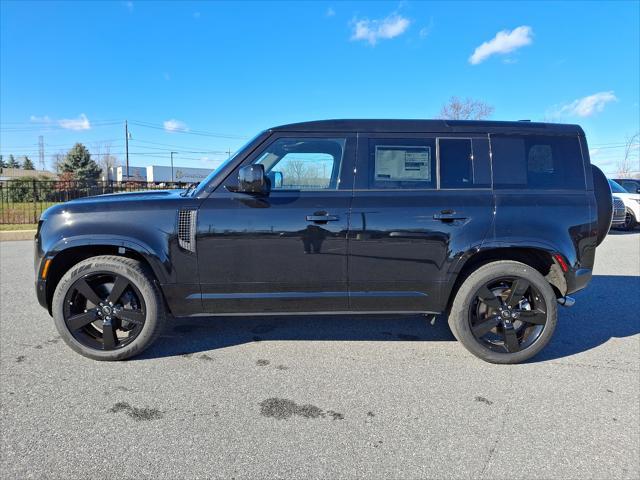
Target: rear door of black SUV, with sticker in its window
420 202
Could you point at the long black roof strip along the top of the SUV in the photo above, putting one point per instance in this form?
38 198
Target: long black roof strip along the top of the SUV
427 126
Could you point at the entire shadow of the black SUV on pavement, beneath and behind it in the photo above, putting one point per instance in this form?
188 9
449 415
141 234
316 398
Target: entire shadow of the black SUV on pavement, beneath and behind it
609 308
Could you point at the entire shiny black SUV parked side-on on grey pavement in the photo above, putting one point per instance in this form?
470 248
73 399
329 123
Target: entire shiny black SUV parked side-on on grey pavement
491 223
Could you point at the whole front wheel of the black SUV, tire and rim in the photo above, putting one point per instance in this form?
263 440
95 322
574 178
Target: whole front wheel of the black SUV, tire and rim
117 331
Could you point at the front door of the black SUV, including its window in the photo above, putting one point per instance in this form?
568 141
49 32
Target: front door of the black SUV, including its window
287 251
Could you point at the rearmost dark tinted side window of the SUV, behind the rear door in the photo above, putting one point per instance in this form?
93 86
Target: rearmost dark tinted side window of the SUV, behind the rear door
540 162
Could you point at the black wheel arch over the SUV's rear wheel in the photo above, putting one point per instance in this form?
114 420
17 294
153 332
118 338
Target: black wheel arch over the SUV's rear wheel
538 258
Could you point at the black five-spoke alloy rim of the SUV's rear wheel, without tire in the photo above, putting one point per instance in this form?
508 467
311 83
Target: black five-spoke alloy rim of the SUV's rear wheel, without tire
507 314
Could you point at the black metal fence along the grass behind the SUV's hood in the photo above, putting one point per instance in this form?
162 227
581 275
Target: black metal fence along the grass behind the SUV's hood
22 201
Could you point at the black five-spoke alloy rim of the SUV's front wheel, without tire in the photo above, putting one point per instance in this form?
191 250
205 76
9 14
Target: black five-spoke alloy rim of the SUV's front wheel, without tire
104 311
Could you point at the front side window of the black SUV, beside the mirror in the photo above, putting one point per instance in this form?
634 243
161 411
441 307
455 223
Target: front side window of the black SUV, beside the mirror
303 163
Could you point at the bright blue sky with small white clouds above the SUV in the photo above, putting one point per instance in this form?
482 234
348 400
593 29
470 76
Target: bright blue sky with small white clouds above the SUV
201 78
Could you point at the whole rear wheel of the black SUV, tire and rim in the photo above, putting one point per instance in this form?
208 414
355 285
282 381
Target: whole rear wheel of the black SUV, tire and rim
504 312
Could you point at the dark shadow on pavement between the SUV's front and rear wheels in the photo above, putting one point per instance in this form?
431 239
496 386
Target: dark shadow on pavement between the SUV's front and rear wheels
192 335
